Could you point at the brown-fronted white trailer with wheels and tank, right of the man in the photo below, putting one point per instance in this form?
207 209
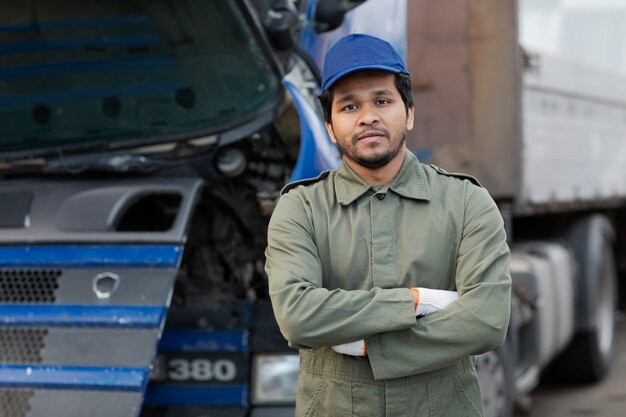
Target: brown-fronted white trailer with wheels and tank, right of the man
530 97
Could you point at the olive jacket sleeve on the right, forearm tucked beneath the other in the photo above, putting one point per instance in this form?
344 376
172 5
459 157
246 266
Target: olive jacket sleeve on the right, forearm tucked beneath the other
477 322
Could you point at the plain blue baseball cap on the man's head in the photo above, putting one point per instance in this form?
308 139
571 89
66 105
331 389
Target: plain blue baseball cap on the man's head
359 52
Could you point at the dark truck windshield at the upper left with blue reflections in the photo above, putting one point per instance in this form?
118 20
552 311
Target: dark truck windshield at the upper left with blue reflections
77 73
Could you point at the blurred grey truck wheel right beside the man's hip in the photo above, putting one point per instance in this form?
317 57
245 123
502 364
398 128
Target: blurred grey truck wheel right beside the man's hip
495 376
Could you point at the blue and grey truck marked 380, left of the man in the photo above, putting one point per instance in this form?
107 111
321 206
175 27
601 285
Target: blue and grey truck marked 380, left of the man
143 146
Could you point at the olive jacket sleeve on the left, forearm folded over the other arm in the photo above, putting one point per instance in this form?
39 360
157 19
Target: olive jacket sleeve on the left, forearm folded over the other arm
308 314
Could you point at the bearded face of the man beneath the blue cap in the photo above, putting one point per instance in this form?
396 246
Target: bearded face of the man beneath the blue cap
369 120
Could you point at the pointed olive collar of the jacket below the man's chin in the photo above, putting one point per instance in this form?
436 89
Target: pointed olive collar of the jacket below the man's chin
410 182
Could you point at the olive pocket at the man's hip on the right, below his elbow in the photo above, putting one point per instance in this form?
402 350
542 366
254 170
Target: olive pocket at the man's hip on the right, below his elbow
455 394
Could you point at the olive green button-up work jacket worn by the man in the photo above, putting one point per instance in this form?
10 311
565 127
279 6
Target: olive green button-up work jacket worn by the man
342 254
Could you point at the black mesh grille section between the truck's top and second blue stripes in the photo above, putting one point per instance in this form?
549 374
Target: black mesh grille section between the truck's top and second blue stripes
28 285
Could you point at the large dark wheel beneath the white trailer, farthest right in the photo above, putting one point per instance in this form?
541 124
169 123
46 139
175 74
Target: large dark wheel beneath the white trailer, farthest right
589 356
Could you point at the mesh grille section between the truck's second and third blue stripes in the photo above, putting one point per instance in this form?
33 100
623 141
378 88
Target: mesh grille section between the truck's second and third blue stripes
21 345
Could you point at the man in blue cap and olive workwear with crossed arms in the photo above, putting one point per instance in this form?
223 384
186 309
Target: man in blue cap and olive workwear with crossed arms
365 263
